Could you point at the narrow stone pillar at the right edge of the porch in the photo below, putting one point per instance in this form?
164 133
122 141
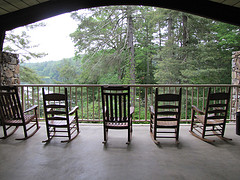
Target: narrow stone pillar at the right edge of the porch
235 81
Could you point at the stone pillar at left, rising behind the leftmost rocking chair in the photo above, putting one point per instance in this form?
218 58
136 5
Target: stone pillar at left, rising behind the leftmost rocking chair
9 69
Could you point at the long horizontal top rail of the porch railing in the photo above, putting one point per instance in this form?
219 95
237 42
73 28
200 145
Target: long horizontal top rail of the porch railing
132 85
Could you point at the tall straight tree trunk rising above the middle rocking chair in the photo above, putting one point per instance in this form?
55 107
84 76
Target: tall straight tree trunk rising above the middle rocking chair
130 45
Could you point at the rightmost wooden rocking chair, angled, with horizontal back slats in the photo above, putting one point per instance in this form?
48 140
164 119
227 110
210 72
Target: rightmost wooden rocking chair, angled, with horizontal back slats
212 122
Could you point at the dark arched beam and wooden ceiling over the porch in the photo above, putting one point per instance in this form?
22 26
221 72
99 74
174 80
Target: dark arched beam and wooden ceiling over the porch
15 13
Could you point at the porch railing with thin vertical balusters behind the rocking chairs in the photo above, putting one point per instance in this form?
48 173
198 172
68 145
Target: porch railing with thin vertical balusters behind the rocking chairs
88 98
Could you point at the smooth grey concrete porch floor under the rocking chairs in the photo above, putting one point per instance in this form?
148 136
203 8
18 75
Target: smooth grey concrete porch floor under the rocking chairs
86 158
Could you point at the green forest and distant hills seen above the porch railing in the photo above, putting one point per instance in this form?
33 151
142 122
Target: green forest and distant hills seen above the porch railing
142 45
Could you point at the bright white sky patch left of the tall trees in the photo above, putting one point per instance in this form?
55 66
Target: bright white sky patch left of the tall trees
53 39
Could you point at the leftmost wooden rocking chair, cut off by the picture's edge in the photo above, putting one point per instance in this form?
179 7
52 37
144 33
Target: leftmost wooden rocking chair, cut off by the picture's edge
12 115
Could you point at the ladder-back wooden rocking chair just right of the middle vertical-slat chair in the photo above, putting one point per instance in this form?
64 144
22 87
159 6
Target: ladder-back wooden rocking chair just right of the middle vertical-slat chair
165 116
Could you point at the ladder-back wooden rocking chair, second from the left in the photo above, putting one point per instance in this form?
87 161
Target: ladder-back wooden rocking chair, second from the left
59 122
